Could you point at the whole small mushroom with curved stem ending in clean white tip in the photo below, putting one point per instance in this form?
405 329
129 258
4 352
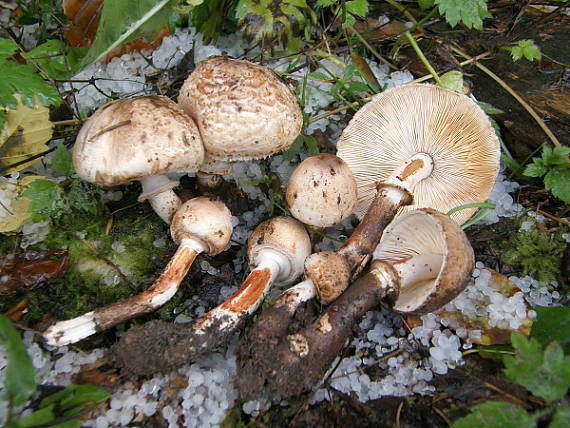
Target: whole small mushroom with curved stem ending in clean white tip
199 225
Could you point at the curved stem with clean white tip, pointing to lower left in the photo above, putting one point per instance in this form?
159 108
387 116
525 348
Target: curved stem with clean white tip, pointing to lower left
76 329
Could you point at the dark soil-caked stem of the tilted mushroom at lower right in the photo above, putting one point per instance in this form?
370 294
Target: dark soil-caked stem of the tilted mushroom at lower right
271 362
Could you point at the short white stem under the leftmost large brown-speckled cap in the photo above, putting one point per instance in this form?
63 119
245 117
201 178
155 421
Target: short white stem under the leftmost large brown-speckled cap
163 200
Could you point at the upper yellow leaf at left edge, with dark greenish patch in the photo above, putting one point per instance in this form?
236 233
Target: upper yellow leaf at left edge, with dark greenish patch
25 133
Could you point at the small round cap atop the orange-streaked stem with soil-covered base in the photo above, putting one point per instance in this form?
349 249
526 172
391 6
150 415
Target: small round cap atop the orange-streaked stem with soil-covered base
284 236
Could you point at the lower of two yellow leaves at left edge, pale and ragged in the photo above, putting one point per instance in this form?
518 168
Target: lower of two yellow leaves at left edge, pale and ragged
13 216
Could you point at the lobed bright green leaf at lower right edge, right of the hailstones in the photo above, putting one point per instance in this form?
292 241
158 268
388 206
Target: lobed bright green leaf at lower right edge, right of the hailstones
544 373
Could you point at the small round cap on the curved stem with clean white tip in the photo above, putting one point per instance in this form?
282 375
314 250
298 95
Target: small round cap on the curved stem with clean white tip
205 220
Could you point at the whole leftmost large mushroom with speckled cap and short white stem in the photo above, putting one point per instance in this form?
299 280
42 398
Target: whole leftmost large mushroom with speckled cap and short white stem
139 139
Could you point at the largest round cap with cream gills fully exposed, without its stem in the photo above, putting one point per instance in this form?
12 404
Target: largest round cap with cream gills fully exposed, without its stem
447 126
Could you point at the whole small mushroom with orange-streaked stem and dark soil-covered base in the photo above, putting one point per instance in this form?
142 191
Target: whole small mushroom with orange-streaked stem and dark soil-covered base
276 250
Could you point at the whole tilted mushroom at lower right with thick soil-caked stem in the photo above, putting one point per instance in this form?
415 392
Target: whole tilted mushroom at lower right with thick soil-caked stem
424 261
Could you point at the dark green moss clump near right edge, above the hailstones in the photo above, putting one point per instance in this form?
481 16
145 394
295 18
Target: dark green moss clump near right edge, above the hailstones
538 253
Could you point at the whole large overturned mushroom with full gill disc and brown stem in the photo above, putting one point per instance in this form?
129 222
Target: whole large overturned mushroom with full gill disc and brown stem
411 147
